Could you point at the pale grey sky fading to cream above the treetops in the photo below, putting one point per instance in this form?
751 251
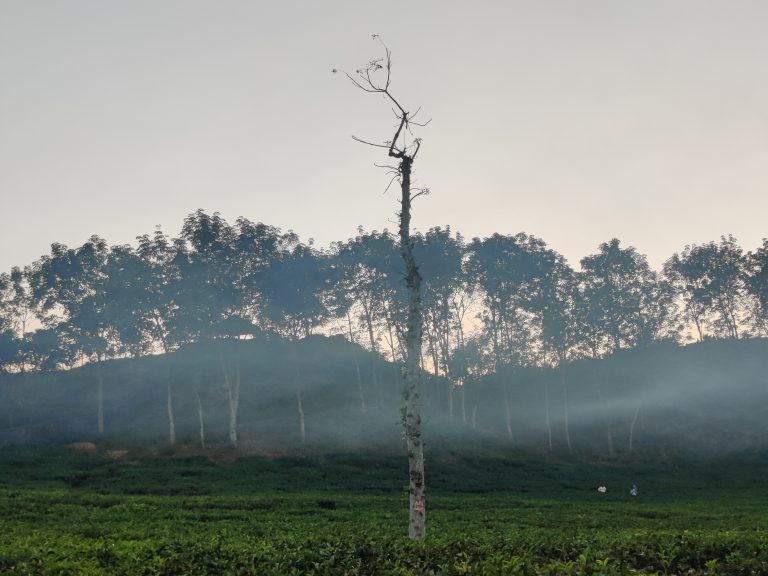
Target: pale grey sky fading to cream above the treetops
574 121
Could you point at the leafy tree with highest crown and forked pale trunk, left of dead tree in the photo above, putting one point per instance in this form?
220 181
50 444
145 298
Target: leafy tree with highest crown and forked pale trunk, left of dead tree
217 278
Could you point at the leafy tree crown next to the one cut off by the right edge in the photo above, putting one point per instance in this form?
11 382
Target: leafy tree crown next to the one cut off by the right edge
710 281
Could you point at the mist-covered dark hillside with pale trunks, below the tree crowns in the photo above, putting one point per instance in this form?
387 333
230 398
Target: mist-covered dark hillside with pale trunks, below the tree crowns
274 395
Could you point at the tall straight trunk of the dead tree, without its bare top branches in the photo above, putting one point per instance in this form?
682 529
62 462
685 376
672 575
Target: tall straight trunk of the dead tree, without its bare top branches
413 335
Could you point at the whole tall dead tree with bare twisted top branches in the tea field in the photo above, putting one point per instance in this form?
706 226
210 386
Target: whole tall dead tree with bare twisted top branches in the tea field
375 78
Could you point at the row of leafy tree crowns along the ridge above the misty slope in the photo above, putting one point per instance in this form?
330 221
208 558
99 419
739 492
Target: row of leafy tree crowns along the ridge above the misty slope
497 301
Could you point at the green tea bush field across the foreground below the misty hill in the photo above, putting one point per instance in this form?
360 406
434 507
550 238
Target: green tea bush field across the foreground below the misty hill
68 513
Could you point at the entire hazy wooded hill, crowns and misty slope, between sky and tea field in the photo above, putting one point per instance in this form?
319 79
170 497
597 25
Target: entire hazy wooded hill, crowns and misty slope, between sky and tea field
242 334
